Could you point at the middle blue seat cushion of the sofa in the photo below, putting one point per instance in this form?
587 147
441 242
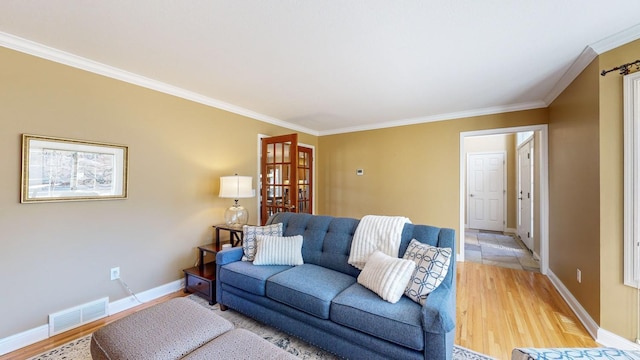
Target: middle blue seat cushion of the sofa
309 288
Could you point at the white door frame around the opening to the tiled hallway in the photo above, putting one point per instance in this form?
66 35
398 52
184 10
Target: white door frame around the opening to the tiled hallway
544 186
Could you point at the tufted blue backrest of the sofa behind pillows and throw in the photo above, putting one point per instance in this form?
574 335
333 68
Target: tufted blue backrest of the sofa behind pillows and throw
327 239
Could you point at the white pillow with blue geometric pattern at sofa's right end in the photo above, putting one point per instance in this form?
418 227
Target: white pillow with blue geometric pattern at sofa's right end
432 265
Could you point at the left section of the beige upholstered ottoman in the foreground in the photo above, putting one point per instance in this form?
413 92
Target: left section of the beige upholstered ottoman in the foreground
169 330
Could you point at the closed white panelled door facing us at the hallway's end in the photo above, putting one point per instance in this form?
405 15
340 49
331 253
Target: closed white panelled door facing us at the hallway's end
486 191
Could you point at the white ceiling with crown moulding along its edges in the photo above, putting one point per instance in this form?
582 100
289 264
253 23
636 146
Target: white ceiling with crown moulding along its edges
326 66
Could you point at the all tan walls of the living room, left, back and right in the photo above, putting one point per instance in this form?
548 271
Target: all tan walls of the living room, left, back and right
178 149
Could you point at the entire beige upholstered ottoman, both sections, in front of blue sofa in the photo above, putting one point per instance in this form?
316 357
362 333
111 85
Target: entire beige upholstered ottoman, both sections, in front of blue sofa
179 329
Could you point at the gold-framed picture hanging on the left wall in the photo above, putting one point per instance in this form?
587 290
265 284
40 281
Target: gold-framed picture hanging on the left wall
57 169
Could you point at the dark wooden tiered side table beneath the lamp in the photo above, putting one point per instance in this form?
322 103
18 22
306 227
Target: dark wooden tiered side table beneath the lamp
201 279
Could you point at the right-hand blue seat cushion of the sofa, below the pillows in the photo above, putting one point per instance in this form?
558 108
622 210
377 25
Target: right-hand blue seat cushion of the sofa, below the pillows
360 309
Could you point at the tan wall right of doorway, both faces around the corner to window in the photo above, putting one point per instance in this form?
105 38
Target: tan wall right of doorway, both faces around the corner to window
586 193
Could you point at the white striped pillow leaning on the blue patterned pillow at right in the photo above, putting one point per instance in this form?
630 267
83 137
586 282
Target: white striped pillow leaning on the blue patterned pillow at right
386 276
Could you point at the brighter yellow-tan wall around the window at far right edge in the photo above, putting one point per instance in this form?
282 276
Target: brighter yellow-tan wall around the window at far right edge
618 302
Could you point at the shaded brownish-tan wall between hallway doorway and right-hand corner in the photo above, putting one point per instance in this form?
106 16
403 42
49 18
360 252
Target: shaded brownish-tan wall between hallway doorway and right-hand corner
574 204
